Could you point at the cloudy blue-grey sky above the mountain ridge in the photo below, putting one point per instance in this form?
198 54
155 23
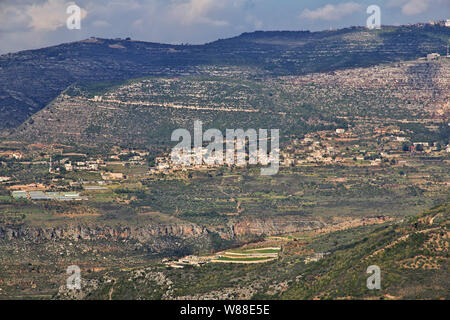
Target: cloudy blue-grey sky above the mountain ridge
32 24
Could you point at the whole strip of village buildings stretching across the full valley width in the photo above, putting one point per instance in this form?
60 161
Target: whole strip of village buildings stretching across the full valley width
384 146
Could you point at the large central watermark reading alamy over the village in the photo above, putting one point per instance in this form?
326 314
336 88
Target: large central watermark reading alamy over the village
236 153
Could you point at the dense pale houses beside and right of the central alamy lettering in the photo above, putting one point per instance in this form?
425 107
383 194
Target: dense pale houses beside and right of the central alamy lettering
325 147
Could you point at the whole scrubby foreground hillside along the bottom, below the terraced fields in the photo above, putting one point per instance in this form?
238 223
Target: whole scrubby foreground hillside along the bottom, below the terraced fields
412 256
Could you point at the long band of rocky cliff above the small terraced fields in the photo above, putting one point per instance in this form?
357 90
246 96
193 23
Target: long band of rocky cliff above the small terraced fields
144 233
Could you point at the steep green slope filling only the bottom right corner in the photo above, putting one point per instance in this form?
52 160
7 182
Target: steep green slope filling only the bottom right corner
412 256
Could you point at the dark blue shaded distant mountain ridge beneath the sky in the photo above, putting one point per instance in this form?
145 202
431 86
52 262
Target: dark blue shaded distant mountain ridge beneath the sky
22 74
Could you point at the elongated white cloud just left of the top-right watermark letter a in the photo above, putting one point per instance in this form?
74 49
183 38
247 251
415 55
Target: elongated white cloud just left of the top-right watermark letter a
332 12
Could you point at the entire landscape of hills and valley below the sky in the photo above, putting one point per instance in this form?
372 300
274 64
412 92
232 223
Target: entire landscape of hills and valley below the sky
87 177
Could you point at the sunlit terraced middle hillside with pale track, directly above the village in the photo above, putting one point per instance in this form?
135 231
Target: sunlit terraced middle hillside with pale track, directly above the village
144 112
